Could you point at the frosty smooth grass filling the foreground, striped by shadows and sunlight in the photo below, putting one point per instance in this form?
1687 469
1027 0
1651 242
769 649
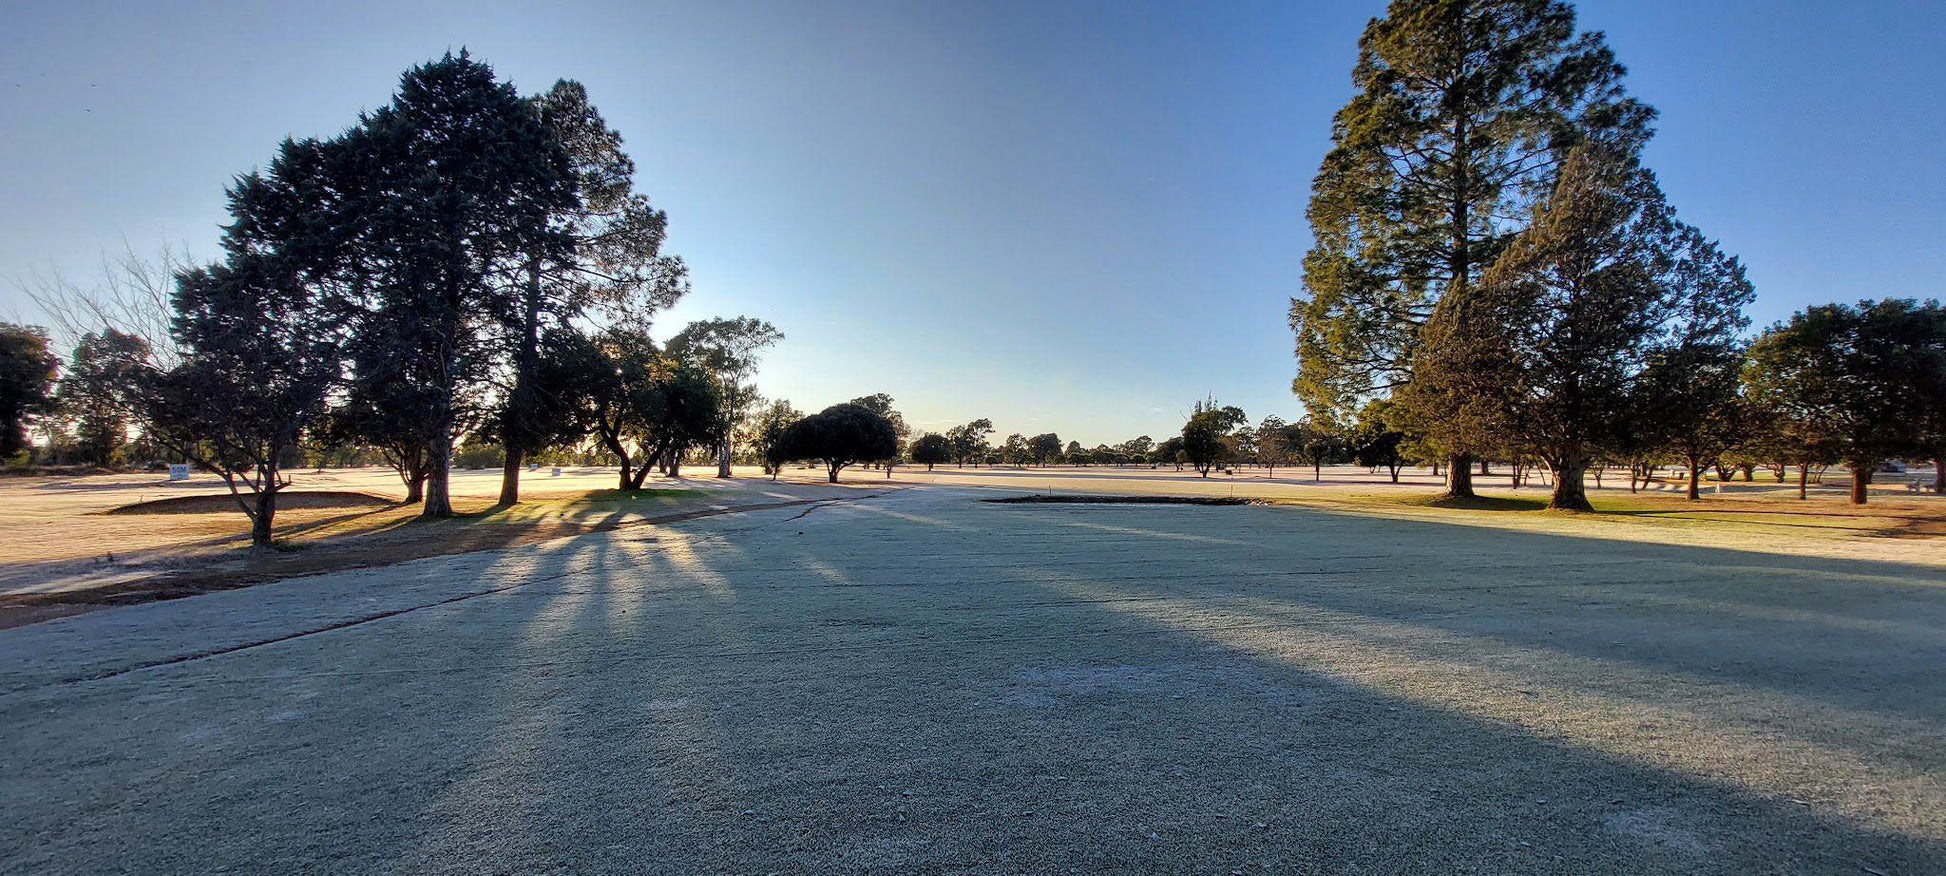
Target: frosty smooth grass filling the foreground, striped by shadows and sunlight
1028 688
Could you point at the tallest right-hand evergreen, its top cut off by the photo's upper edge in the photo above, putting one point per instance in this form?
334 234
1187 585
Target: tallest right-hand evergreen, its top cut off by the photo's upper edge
1462 116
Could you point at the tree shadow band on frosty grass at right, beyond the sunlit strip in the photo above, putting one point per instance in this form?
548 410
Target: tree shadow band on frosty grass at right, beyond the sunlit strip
1700 612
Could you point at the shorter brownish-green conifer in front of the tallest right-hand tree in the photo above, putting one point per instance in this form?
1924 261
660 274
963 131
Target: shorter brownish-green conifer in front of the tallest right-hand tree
1552 355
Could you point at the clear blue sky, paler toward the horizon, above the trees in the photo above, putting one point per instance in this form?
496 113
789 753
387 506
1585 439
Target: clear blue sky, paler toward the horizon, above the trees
1063 217
